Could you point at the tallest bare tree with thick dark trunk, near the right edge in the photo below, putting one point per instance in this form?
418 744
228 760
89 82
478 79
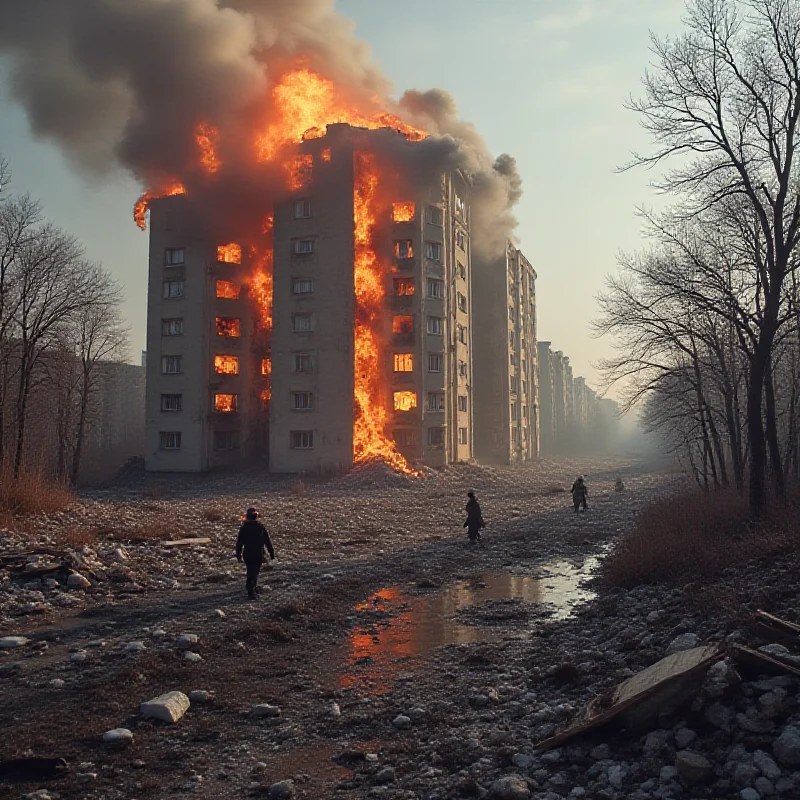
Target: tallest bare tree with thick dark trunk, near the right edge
722 104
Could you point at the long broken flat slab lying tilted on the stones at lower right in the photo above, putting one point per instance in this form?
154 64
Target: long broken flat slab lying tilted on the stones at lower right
638 700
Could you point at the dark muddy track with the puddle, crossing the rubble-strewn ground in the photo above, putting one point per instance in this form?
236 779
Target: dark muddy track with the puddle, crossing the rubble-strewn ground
334 643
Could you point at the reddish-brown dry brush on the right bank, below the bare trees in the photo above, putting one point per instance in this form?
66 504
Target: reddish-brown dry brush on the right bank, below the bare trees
694 536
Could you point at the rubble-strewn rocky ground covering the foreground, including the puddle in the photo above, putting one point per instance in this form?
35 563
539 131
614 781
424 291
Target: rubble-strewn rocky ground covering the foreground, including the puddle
385 658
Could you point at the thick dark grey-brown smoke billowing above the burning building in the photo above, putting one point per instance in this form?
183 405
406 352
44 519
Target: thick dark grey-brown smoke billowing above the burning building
124 83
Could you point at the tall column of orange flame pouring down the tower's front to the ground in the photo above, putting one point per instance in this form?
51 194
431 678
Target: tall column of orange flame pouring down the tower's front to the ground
369 437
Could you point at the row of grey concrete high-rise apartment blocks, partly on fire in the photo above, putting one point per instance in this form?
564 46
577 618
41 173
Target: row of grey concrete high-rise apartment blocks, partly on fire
457 363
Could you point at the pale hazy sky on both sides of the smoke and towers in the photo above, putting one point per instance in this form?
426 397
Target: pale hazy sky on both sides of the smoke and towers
544 80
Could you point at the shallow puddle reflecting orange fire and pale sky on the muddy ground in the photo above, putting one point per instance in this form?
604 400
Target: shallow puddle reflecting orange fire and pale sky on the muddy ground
398 630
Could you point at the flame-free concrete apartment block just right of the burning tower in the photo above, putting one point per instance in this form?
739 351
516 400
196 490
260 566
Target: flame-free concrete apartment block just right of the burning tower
505 357
